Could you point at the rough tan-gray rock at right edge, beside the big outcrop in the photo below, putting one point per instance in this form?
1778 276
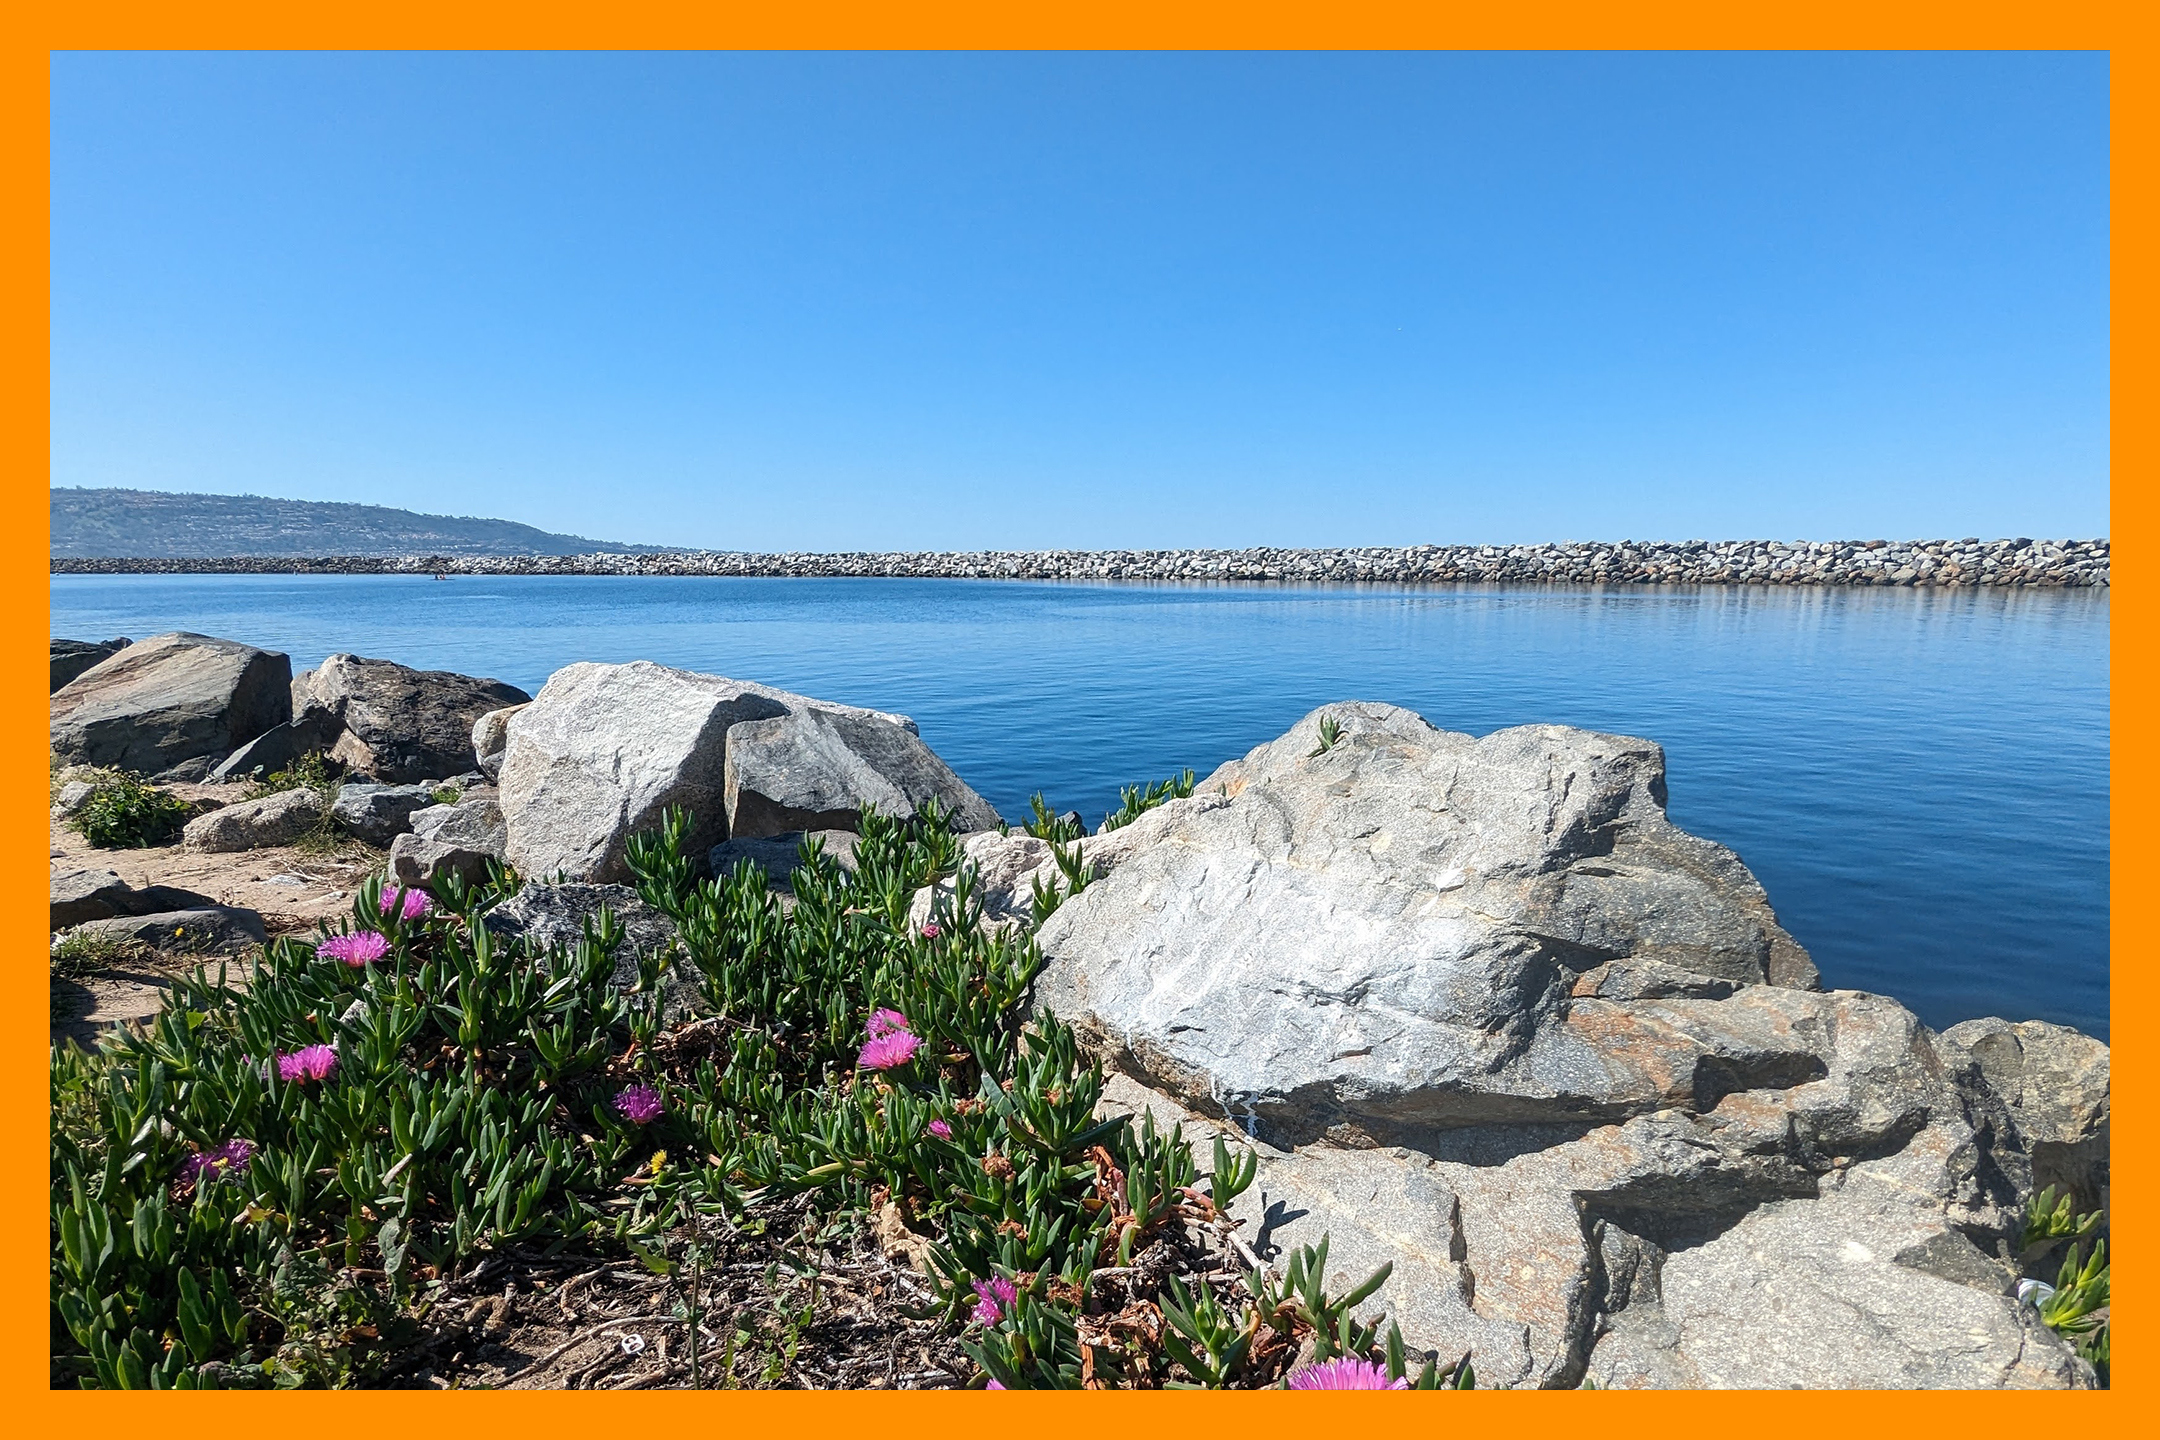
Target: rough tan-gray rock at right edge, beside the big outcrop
2055 1085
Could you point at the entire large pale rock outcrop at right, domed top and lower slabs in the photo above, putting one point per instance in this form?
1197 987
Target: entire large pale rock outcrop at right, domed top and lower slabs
1489 1018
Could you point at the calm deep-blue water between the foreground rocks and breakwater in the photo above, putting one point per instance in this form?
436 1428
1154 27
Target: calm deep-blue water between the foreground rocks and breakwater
1919 778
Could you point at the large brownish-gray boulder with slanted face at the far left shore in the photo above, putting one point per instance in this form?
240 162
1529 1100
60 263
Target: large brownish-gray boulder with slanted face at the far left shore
172 705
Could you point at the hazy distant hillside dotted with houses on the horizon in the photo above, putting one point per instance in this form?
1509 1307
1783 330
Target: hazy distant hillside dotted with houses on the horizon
159 526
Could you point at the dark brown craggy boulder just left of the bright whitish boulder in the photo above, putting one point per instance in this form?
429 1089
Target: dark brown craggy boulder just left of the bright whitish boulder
399 724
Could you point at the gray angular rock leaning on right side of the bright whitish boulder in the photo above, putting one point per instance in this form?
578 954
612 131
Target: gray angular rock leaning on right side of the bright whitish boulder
822 770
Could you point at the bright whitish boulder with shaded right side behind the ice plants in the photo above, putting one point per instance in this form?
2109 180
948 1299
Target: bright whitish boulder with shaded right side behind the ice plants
606 750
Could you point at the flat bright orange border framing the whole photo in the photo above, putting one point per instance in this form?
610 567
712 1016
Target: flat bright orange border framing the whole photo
1265 25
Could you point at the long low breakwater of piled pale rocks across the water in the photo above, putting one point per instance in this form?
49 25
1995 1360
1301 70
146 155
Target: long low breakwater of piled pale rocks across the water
2047 565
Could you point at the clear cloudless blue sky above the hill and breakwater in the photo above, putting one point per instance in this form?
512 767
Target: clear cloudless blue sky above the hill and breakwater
1096 301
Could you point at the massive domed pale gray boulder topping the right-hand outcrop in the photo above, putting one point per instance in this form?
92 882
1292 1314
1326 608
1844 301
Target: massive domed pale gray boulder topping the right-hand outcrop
1388 936
